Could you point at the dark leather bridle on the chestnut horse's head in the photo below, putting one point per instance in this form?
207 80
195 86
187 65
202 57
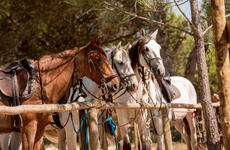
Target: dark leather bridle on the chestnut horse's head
104 80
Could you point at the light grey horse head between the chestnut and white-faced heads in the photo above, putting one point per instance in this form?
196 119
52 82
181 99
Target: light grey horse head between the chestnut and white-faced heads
122 65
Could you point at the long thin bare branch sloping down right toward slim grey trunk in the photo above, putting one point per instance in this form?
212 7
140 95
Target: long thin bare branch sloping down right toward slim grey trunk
146 19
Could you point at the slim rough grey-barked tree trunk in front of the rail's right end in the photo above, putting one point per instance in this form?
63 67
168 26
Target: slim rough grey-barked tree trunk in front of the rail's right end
213 140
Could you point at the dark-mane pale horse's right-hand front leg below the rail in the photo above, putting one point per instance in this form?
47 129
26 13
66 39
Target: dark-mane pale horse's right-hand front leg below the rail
143 133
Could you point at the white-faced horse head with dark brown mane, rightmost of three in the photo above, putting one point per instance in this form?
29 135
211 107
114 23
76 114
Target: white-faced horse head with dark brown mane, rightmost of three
146 52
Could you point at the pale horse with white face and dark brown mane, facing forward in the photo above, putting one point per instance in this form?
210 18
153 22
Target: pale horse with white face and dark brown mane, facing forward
144 54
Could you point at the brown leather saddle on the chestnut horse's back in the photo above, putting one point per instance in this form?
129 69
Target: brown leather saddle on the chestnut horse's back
21 74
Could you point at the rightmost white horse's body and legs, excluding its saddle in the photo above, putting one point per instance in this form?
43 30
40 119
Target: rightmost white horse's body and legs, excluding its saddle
182 119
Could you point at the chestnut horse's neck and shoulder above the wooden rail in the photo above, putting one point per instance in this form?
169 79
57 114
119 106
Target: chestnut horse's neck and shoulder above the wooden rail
56 75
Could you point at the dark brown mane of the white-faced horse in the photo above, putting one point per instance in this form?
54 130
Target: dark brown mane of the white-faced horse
137 48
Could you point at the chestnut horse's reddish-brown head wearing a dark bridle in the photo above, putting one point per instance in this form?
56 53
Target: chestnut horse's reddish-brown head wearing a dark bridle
99 69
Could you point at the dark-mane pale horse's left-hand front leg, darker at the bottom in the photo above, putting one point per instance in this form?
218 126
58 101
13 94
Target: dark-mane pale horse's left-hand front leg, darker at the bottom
123 119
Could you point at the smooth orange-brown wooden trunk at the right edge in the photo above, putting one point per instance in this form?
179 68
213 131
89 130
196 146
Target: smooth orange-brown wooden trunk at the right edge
222 66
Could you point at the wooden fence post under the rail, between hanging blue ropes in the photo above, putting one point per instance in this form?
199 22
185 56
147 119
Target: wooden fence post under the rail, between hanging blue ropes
93 130
